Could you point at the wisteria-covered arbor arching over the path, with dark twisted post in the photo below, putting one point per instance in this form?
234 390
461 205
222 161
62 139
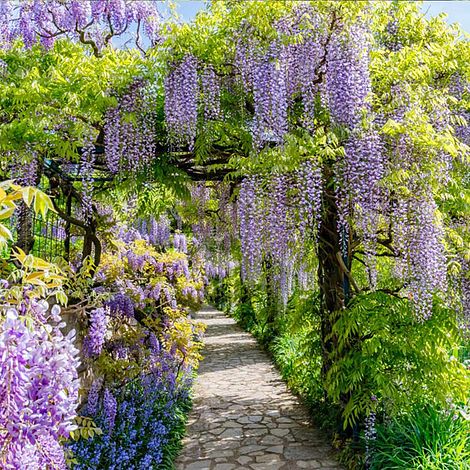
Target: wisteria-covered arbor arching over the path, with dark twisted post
344 131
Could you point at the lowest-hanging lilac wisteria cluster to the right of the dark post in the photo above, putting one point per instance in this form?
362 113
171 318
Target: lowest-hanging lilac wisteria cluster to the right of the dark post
416 231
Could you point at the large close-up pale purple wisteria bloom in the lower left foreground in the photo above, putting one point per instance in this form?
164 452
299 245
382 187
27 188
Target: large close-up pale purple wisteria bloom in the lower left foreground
38 386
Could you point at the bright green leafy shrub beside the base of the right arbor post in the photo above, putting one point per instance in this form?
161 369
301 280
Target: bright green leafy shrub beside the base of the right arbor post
384 351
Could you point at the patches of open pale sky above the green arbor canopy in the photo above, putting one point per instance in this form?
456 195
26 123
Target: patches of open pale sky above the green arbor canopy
457 11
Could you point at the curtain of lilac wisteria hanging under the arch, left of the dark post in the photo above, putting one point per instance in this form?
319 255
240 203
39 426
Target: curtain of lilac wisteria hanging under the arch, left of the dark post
273 214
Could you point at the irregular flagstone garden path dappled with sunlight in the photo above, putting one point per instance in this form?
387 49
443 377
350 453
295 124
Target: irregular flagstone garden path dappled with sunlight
244 417
